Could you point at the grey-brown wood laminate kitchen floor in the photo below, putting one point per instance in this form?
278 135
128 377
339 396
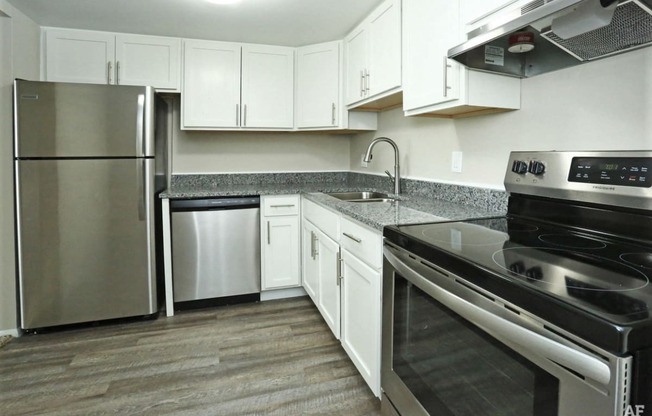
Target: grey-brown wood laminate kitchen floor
267 358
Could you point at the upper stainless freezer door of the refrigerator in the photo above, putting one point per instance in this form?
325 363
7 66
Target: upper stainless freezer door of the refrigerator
82 120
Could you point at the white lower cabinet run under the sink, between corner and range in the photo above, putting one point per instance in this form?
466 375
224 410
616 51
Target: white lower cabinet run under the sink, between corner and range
342 275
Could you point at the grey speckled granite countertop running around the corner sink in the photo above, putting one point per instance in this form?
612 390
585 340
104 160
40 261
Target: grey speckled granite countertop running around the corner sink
409 209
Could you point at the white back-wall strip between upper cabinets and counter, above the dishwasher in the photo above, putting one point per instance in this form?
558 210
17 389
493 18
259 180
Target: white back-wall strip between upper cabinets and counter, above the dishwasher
228 152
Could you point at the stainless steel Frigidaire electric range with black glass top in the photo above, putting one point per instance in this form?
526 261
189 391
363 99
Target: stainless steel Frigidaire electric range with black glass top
573 255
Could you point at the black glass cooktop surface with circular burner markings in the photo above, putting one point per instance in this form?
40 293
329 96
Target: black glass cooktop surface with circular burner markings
605 277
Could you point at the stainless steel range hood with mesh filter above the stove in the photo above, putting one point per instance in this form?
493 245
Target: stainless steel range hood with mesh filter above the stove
546 35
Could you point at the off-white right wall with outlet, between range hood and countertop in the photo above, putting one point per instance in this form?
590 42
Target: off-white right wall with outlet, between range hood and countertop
603 105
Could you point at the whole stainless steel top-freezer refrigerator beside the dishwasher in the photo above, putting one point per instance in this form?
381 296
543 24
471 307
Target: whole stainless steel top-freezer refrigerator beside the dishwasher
85 183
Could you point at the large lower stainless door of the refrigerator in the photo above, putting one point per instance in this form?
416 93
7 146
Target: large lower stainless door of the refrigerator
85 240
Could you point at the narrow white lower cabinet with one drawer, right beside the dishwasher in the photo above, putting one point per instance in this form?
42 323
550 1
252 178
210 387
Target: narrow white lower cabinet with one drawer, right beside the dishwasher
280 236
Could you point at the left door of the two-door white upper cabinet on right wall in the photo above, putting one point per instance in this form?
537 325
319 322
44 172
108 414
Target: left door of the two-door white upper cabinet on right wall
356 65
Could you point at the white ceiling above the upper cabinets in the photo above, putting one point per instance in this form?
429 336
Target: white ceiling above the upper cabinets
275 22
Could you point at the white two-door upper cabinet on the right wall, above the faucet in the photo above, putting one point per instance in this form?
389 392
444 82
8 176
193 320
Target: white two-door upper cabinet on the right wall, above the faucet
373 56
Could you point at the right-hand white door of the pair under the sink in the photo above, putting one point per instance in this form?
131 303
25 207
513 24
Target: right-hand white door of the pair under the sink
329 283
